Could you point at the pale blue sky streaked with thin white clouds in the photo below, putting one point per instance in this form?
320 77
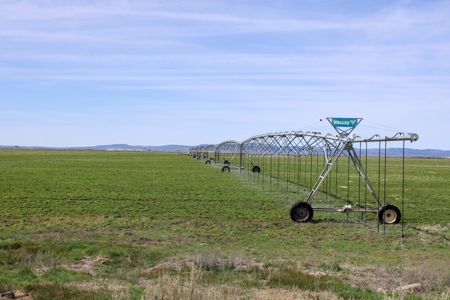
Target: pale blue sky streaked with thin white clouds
85 73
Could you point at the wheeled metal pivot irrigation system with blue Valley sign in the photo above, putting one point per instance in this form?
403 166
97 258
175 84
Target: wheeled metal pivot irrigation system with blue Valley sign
309 164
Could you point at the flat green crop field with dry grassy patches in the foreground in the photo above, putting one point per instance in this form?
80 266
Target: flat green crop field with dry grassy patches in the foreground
140 225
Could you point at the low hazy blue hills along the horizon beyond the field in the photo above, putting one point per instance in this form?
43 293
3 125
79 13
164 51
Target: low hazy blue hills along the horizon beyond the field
183 148
